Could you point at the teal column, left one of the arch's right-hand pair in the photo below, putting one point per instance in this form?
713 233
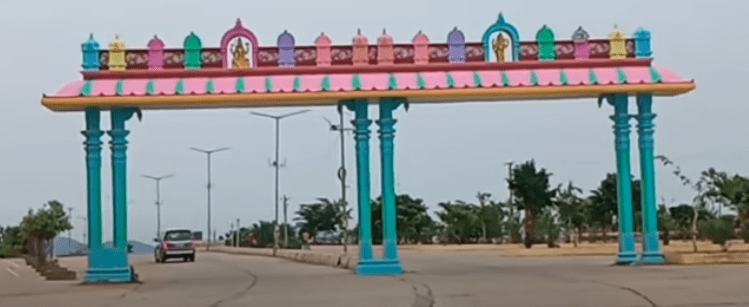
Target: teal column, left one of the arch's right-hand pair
627 251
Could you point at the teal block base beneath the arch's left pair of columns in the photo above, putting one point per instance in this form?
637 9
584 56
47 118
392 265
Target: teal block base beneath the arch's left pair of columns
109 265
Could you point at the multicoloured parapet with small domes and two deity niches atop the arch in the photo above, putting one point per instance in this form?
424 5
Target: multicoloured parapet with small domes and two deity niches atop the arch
240 50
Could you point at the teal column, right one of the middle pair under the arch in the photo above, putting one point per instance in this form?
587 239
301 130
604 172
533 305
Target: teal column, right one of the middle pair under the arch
391 264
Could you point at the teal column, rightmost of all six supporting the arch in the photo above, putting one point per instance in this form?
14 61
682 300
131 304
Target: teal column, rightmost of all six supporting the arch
652 253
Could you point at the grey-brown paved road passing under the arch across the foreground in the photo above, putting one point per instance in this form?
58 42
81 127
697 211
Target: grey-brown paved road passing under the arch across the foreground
432 279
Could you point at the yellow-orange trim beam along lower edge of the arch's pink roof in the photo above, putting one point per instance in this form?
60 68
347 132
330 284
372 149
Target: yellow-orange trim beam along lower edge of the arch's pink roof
332 98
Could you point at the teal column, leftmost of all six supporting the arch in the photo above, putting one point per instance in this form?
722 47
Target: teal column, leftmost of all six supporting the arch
93 144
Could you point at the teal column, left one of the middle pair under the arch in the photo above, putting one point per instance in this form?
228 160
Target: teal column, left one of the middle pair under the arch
361 136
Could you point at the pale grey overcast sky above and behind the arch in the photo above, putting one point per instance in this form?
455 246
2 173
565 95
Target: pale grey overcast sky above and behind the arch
443 152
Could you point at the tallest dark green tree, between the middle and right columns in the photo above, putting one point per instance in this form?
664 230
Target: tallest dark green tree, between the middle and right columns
533 193
